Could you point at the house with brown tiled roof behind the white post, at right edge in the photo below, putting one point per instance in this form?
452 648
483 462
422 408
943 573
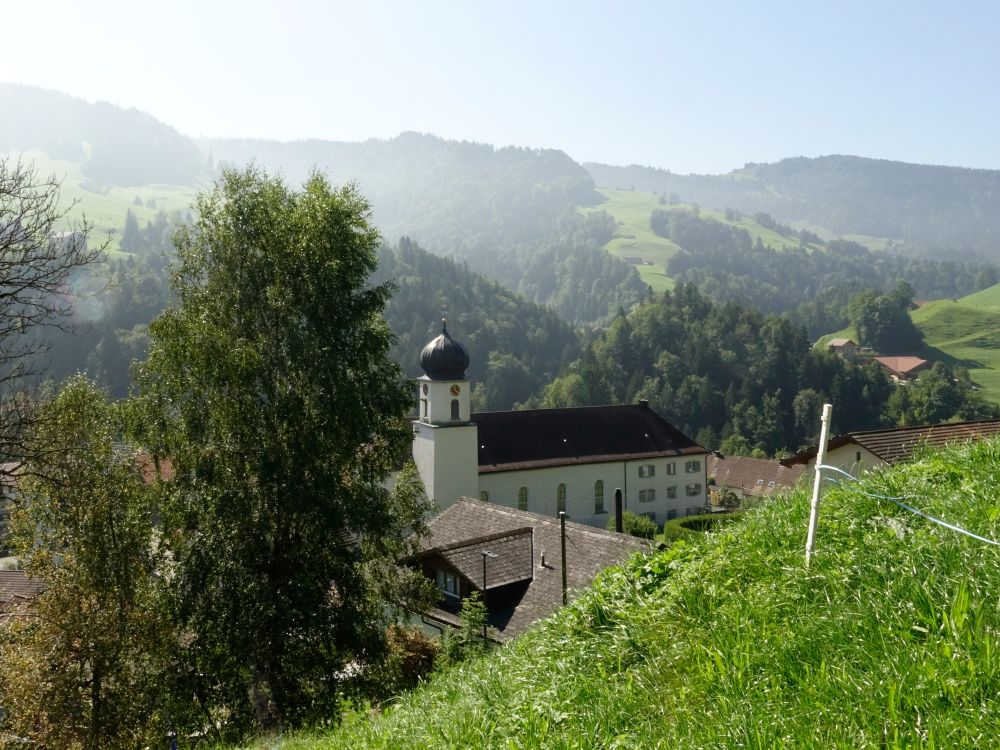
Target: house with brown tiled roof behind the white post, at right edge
857 451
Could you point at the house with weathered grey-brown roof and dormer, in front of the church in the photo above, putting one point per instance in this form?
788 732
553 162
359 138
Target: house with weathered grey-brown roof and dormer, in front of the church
513 558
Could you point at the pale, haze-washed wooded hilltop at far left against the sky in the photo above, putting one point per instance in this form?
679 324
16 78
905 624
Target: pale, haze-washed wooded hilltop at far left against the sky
115 146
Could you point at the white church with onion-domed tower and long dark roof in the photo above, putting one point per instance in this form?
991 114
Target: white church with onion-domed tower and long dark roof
549 460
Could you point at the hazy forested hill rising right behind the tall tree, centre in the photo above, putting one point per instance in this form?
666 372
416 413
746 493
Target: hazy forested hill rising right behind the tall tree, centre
509 212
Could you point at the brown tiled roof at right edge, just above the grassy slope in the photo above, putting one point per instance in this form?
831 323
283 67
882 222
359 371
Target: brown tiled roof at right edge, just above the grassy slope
898 444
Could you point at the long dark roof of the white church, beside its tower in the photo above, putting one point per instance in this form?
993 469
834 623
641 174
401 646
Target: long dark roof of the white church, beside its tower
536 438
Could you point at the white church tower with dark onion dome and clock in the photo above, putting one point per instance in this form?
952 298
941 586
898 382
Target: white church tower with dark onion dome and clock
444 436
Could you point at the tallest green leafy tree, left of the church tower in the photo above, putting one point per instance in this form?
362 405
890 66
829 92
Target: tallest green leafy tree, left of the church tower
270 389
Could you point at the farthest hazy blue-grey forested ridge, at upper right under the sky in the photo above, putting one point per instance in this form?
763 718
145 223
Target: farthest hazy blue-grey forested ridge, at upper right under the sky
929 208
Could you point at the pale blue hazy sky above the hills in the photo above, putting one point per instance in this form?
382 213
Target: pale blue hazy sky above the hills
698 87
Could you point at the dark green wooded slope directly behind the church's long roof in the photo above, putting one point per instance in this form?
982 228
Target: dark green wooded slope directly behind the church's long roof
736 379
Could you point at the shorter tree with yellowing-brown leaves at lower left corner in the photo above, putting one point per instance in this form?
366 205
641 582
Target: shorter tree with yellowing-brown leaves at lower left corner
77 668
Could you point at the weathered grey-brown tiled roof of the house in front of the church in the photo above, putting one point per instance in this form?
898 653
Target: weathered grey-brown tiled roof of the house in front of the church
478 525
